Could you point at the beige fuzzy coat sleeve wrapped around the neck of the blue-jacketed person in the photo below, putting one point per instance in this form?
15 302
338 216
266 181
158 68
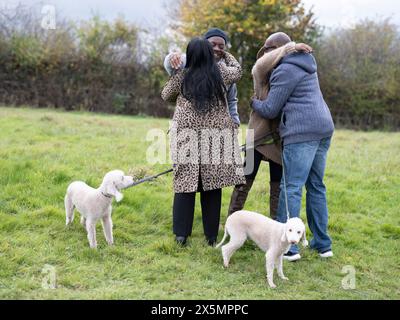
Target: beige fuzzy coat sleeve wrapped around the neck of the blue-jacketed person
266 63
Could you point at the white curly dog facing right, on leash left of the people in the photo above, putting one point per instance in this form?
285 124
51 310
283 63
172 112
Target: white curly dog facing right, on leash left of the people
95 204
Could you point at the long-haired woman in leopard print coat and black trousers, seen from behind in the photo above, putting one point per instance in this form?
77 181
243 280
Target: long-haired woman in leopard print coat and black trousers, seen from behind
204 147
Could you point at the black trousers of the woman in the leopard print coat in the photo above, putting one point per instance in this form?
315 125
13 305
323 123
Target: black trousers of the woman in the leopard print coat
183 212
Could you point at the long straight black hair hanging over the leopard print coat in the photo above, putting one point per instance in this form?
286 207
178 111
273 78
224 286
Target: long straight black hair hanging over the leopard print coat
202 84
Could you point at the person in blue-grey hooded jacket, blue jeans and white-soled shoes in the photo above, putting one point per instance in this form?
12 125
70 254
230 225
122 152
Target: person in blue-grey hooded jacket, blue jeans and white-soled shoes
306 129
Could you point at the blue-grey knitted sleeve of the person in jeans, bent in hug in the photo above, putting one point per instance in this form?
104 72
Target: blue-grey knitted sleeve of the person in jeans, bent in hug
283 82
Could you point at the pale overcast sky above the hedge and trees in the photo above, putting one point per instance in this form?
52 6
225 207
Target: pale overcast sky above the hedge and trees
153 13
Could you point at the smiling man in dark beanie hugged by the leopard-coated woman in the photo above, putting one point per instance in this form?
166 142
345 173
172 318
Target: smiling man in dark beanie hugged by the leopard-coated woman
219 41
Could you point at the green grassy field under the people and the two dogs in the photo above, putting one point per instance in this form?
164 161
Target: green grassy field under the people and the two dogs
42 151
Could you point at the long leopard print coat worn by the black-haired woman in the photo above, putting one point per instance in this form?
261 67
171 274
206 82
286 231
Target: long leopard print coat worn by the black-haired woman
204 145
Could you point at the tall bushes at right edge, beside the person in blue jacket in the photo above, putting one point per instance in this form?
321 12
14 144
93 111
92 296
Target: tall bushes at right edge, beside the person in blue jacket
359 69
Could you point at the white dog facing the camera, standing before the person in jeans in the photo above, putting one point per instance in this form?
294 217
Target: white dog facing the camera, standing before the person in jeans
272 237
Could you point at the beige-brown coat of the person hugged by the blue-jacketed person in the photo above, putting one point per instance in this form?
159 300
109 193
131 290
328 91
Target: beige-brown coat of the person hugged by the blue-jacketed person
271 150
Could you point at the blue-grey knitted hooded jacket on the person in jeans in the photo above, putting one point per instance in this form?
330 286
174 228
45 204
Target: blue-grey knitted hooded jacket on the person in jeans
295 94
